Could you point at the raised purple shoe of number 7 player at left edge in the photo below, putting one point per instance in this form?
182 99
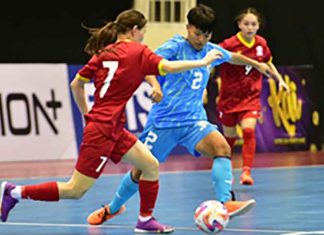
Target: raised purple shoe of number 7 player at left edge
7 202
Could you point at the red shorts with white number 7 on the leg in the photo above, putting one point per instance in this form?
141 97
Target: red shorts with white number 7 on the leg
96 149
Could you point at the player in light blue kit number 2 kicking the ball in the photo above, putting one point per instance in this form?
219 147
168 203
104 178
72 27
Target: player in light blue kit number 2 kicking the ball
180 118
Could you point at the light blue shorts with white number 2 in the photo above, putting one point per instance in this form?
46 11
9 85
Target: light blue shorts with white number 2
161 141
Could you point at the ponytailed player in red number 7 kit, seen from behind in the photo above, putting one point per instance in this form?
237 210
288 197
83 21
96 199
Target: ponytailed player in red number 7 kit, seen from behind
118 66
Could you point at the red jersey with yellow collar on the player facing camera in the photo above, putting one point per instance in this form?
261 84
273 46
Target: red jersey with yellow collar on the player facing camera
241 85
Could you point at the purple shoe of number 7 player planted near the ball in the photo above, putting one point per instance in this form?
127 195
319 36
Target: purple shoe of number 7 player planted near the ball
152 226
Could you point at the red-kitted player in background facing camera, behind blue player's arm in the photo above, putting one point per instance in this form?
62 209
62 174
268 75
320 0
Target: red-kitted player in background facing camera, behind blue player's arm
240 90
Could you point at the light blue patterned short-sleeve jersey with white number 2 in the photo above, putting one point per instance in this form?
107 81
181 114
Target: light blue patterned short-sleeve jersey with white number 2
182 92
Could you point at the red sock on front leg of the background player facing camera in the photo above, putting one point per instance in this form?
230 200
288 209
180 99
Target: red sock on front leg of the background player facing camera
248 148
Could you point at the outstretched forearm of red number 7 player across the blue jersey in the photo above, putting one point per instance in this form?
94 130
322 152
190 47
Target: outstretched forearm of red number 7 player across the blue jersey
166 66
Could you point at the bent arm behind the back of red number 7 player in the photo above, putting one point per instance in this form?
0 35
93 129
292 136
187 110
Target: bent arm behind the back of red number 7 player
77 88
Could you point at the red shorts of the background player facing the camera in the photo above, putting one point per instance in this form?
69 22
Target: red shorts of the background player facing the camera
231 119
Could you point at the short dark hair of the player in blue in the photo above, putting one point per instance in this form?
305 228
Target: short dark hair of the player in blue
202 17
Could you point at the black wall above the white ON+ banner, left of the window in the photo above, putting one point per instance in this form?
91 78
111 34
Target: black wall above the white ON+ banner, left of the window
50 31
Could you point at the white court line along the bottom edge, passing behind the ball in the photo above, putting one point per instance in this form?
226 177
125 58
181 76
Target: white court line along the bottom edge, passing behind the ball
125 226
